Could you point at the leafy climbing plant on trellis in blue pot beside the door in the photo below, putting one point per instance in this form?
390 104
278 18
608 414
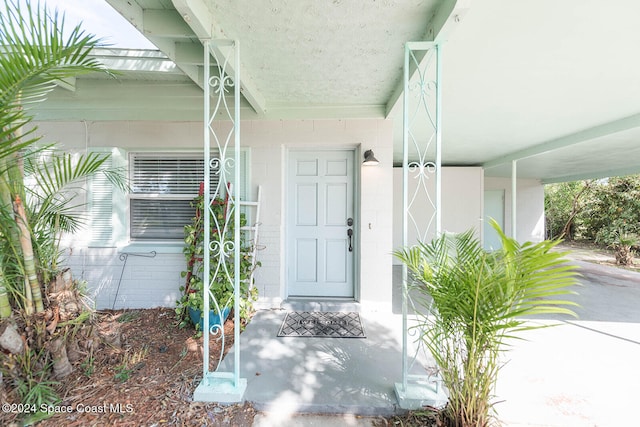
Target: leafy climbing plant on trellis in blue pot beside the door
190 306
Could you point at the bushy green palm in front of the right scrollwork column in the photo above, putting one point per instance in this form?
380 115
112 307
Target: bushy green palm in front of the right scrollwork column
475 302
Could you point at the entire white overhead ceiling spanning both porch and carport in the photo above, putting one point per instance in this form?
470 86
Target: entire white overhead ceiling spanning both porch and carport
552 83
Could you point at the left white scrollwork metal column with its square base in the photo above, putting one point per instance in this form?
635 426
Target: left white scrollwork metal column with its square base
224 140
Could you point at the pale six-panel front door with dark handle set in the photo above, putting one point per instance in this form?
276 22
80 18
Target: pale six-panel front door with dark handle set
320 224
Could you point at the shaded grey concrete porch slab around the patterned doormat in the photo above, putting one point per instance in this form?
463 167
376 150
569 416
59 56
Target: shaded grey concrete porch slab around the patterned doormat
287 375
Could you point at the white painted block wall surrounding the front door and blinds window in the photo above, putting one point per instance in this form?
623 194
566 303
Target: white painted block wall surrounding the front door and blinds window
154 281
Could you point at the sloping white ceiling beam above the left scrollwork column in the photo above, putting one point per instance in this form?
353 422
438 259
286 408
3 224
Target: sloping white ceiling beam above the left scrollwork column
198 16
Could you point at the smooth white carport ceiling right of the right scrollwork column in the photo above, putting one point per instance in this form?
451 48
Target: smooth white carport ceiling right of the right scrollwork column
526 77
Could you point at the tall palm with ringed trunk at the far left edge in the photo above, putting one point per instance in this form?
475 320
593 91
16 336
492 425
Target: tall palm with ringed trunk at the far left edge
36 53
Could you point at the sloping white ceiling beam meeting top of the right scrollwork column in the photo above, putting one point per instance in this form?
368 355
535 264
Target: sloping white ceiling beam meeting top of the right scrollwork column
446 17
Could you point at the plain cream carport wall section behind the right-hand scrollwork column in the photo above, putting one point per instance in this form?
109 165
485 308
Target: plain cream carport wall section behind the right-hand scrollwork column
462 202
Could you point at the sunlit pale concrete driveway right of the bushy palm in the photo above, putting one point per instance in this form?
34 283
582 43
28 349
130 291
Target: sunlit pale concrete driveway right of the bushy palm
584 372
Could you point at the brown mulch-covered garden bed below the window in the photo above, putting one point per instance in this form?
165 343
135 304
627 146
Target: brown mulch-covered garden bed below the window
148 381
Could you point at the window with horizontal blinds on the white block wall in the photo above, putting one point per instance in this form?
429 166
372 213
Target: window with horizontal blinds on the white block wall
162 188
